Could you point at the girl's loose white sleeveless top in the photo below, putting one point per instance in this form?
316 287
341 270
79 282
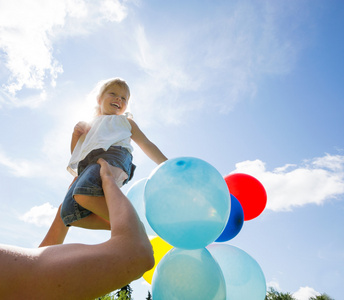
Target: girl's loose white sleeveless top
106 131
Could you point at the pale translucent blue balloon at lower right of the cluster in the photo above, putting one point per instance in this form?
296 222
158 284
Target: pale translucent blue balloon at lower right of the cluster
243 275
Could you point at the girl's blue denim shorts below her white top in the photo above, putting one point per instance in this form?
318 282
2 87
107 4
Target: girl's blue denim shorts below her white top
89 182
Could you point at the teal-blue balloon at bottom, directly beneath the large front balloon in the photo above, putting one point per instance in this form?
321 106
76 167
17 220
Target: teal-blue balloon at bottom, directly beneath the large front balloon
188 274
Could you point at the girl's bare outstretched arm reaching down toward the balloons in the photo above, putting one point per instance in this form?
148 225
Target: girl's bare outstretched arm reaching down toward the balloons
150 149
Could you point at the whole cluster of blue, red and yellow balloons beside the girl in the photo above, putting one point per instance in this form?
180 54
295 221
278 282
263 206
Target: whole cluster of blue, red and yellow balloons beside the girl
190 209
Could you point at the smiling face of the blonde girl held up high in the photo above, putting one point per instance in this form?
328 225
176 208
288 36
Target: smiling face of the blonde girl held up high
114 100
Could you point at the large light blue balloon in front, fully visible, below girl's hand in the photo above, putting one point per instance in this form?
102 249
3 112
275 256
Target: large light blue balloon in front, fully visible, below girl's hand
187 202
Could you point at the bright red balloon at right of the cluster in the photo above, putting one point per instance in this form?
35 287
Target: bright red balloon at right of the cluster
249 192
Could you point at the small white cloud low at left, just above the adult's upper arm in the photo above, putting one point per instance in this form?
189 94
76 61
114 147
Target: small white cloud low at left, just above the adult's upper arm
42 215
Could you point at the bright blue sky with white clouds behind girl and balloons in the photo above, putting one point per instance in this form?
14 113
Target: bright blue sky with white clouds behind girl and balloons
248 86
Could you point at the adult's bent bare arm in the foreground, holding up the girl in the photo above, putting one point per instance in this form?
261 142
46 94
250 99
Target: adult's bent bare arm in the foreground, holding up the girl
77 271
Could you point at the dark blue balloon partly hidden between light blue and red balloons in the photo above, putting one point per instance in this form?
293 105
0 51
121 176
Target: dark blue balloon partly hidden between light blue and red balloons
235 221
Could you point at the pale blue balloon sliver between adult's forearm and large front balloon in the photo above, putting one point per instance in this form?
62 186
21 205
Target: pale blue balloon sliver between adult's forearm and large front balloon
136 196
